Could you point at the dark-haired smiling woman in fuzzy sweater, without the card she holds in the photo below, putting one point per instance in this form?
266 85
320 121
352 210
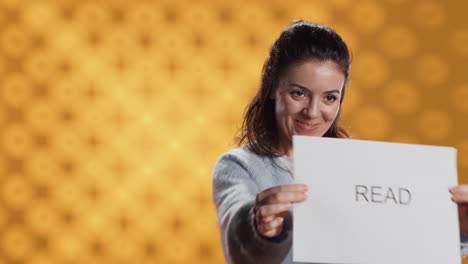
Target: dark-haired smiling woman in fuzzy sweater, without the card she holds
303 85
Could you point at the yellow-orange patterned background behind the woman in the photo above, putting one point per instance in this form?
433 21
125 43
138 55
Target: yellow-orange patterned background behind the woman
112 113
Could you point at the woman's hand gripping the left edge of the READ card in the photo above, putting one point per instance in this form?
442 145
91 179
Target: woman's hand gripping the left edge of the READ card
273 204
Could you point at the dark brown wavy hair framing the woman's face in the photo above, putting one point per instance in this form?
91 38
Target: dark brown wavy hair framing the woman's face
299 42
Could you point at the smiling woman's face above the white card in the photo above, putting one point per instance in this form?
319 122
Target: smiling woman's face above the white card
307 100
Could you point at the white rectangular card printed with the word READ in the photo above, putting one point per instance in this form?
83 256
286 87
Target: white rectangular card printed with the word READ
375 203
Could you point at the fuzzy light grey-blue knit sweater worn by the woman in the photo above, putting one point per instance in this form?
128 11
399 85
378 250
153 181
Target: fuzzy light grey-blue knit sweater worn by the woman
238 176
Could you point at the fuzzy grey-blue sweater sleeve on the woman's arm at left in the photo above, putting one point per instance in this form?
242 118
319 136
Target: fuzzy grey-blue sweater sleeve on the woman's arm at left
234 194
